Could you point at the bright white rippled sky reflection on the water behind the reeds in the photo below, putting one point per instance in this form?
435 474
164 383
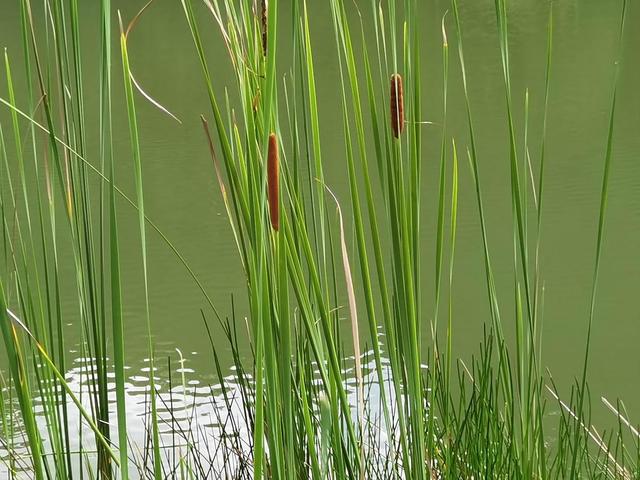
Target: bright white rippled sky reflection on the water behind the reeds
207 426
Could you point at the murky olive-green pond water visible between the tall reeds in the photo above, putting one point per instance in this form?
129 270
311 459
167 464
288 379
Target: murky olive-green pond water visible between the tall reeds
183 198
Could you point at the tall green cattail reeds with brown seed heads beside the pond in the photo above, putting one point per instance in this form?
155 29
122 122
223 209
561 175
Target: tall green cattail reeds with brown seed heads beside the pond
297 242
